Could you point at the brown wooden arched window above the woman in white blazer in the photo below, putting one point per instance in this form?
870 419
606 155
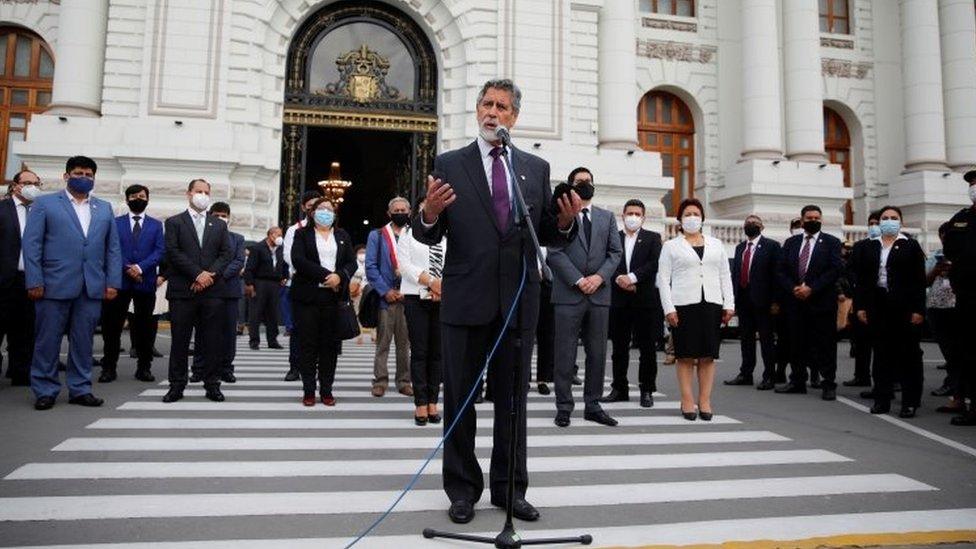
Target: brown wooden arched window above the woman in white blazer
665 125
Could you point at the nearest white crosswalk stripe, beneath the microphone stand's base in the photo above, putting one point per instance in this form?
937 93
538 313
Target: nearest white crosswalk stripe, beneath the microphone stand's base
784 529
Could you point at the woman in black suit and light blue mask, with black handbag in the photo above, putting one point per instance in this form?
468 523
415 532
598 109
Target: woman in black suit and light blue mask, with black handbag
324 262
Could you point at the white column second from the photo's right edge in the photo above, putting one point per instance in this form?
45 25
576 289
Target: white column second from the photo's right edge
922 86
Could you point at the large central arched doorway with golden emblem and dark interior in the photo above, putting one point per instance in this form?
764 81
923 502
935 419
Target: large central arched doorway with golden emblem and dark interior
361 91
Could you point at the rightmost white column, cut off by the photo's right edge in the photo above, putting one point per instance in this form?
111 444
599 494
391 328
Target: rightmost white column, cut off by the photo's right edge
957 21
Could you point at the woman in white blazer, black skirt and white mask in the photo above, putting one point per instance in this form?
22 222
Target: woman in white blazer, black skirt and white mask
695 284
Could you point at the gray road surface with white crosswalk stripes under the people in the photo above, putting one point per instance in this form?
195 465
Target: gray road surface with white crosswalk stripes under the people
261 467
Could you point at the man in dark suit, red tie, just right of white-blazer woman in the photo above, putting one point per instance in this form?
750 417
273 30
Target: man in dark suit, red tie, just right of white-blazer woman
756 289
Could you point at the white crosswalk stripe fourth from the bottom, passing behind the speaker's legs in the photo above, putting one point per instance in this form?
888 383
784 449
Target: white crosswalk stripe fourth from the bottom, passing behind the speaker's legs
210 443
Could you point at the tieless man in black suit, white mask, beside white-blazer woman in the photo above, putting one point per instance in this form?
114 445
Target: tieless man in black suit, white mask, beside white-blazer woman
635 307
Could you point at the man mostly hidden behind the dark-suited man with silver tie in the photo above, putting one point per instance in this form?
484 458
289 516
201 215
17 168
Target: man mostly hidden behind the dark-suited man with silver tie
229 294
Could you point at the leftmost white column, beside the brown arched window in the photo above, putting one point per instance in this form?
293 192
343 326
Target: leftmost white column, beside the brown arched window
80 60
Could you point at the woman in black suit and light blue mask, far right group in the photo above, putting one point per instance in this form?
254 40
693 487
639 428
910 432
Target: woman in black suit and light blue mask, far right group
890 299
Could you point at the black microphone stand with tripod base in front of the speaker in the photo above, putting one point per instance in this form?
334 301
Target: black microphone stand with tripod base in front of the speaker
508 538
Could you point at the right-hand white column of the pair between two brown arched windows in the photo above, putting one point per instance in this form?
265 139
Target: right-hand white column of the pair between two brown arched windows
803 82
